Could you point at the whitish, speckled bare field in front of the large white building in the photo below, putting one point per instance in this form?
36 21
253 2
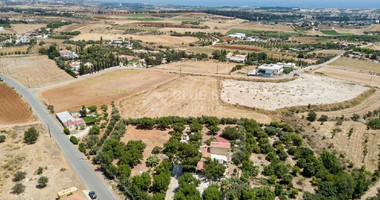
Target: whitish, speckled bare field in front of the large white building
308 89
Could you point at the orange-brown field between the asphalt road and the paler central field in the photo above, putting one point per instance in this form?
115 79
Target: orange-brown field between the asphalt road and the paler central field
102 88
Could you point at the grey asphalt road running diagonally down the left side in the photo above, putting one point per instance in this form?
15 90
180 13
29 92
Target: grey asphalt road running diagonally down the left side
76 159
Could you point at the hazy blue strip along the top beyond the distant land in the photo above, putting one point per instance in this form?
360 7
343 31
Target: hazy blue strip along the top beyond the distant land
287 3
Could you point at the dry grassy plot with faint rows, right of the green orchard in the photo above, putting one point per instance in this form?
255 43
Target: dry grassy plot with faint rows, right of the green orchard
352 147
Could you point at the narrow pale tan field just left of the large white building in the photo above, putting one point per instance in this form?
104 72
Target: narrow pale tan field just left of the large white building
200 67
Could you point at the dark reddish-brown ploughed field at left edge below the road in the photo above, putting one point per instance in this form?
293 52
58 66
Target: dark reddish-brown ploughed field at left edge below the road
13 109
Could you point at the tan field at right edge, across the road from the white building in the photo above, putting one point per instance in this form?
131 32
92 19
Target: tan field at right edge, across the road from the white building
356 64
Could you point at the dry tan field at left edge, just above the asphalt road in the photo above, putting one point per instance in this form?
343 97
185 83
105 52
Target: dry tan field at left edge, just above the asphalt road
33 71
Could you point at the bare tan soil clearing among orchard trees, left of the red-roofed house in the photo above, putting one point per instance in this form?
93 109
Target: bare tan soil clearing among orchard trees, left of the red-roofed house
151 138
